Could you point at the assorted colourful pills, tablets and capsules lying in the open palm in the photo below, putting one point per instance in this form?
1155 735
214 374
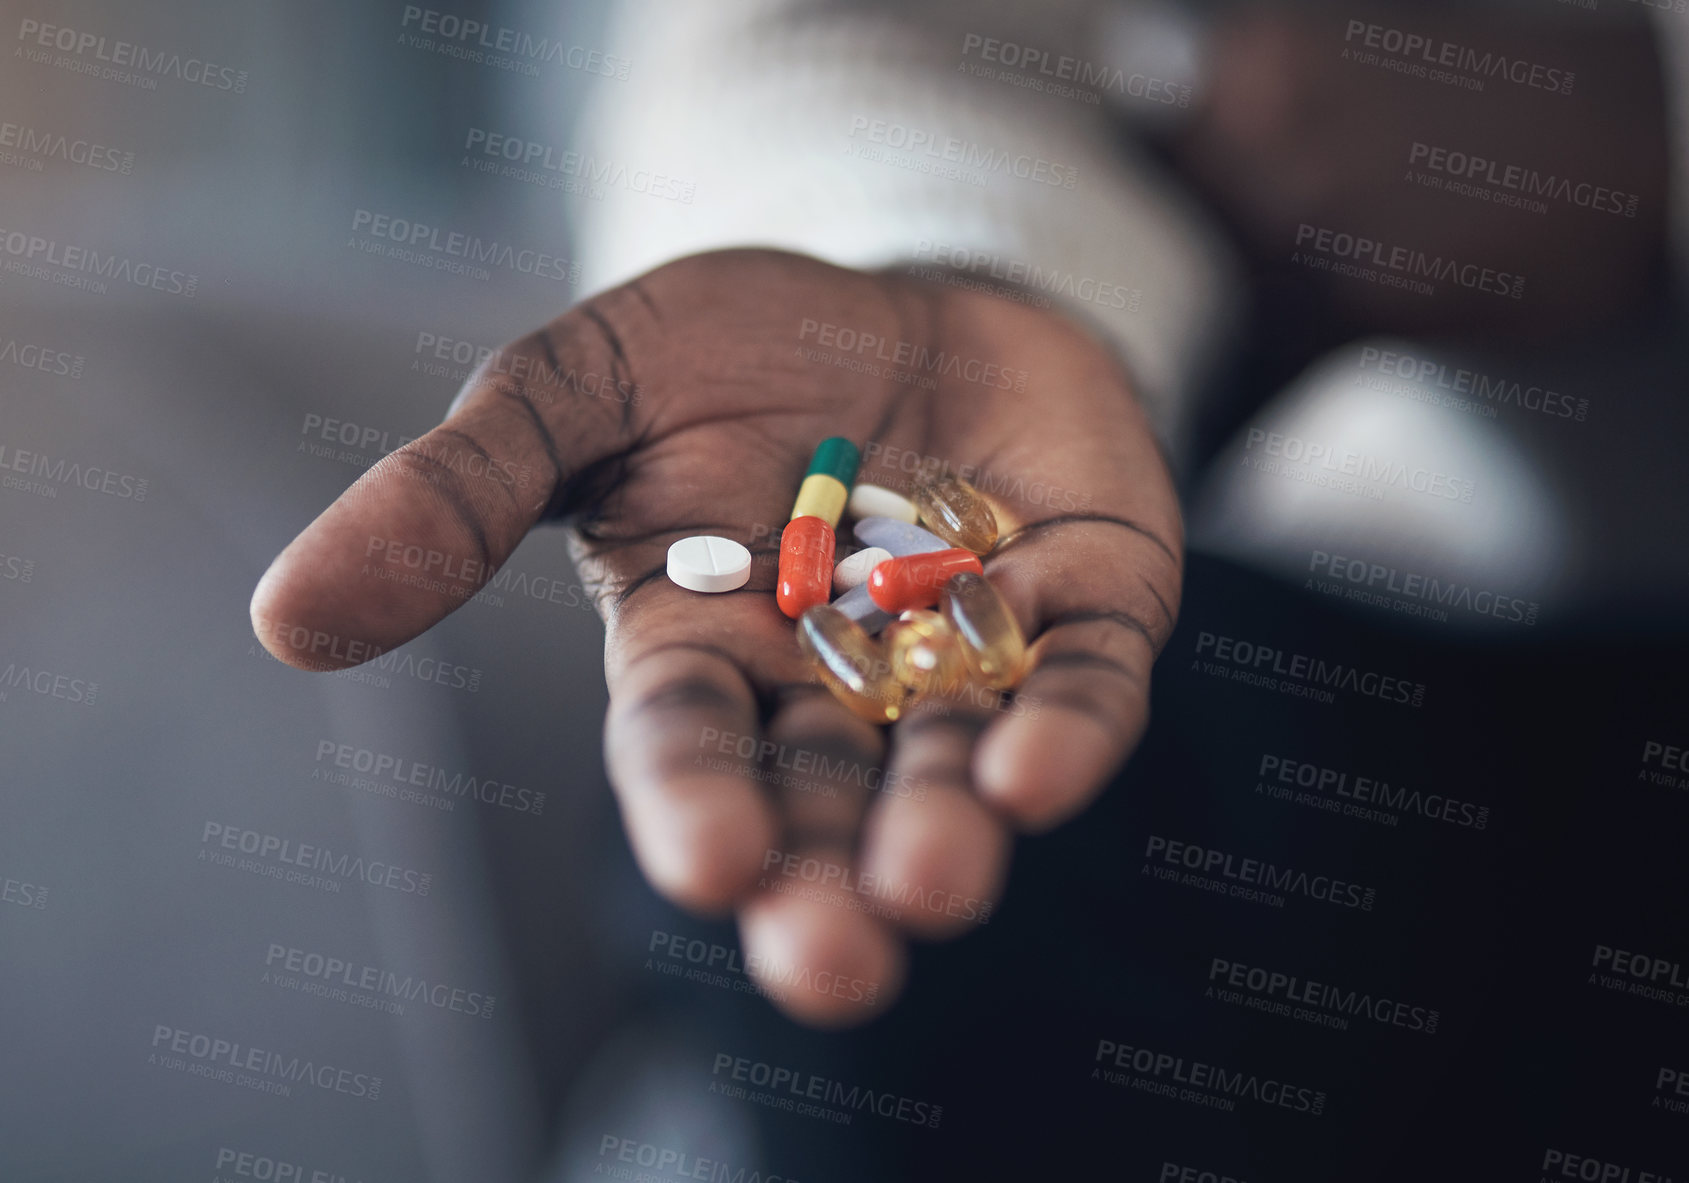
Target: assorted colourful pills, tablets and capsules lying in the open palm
916 618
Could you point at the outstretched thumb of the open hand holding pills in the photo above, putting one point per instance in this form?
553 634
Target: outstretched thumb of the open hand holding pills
432 523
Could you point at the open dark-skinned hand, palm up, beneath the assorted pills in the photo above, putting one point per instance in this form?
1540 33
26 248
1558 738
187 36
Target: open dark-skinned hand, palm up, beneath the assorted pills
730 410
